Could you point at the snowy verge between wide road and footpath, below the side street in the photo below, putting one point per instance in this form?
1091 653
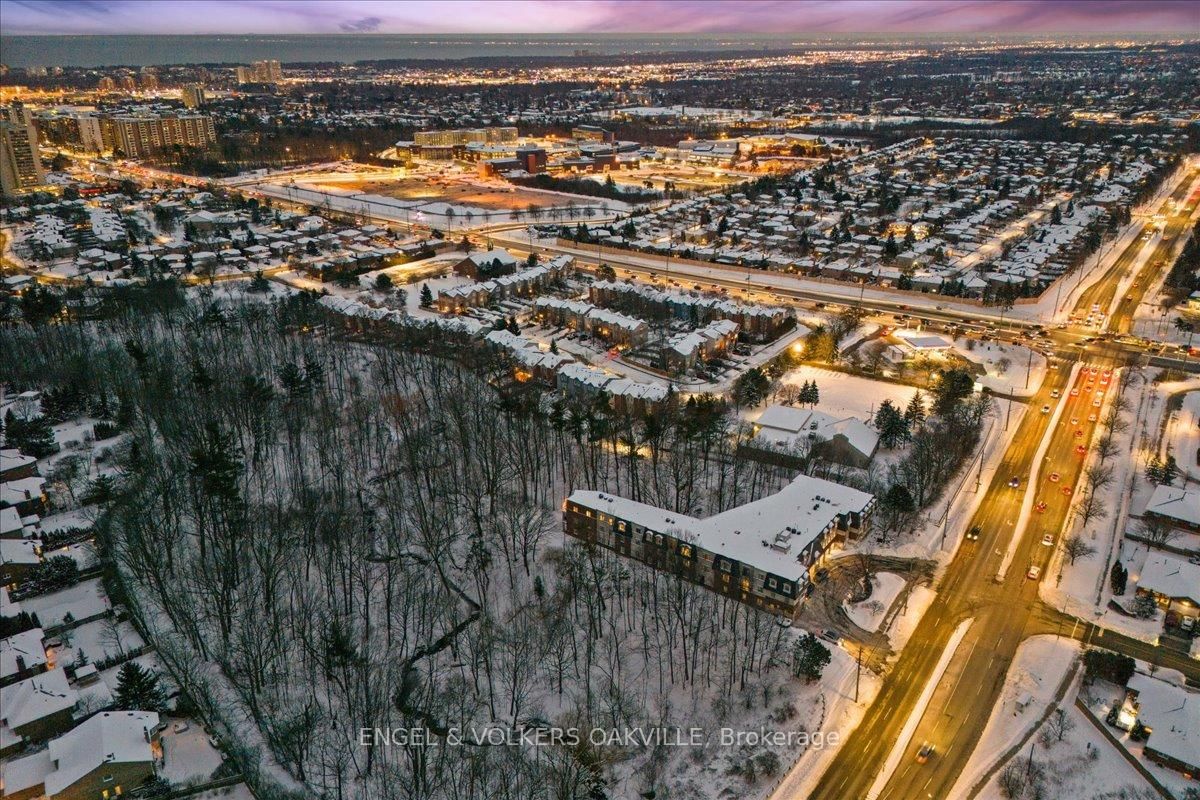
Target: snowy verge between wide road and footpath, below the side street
1040 667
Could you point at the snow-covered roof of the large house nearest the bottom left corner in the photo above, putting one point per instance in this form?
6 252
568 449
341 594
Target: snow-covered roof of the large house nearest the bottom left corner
107 738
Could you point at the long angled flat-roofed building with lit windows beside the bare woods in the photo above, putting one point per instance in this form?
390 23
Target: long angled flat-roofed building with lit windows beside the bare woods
761 554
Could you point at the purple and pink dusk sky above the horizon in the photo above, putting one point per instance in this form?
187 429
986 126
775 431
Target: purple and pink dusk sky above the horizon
1178 17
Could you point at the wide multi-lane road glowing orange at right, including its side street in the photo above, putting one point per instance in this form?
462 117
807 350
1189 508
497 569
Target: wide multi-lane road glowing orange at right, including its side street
1007 611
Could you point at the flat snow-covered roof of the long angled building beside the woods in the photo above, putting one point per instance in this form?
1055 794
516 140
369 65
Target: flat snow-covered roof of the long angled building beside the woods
770 534
